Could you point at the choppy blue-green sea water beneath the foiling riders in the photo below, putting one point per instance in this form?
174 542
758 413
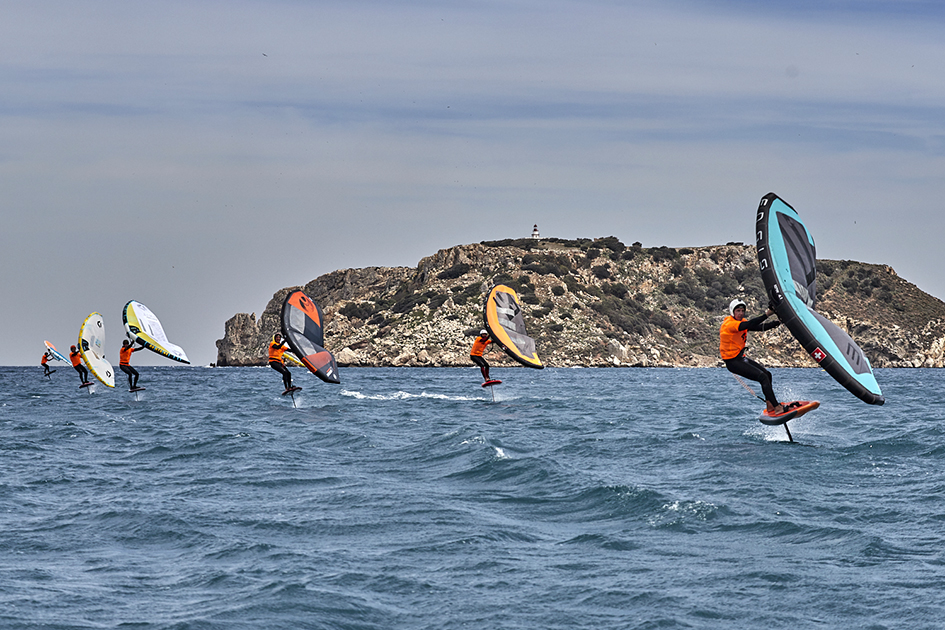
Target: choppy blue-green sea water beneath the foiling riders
408 498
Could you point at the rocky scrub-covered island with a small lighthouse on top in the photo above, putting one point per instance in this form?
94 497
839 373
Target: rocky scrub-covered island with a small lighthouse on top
593 303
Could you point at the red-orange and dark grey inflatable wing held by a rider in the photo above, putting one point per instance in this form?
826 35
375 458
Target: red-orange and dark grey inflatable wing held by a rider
302 329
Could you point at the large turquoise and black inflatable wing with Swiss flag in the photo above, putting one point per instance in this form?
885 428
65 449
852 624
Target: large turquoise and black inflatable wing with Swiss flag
787 257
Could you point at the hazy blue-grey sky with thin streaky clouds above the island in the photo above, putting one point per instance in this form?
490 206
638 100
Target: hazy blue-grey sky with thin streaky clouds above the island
199 156
